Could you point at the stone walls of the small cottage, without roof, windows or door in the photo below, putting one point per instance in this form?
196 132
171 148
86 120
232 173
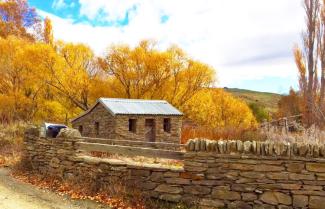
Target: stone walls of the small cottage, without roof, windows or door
117 127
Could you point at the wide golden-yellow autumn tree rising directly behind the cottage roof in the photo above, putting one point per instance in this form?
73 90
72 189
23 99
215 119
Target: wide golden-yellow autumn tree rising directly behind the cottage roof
146 72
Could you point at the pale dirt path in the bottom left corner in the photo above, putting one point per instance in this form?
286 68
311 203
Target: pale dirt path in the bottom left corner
17 195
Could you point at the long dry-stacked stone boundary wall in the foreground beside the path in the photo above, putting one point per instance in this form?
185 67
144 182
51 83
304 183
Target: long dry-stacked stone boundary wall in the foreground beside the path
223 174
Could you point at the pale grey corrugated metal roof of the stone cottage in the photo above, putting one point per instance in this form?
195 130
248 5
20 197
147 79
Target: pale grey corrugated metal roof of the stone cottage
139 107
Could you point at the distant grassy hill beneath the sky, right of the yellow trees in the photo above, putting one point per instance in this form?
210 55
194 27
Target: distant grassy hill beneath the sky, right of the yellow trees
266 99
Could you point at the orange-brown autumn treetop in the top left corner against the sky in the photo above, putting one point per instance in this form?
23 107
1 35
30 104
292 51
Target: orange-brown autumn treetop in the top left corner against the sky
18 19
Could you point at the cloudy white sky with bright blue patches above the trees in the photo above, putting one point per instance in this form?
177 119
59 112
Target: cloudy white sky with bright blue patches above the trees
249 43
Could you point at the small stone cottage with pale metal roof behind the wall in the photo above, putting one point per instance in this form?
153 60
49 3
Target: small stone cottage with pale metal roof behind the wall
131 119
